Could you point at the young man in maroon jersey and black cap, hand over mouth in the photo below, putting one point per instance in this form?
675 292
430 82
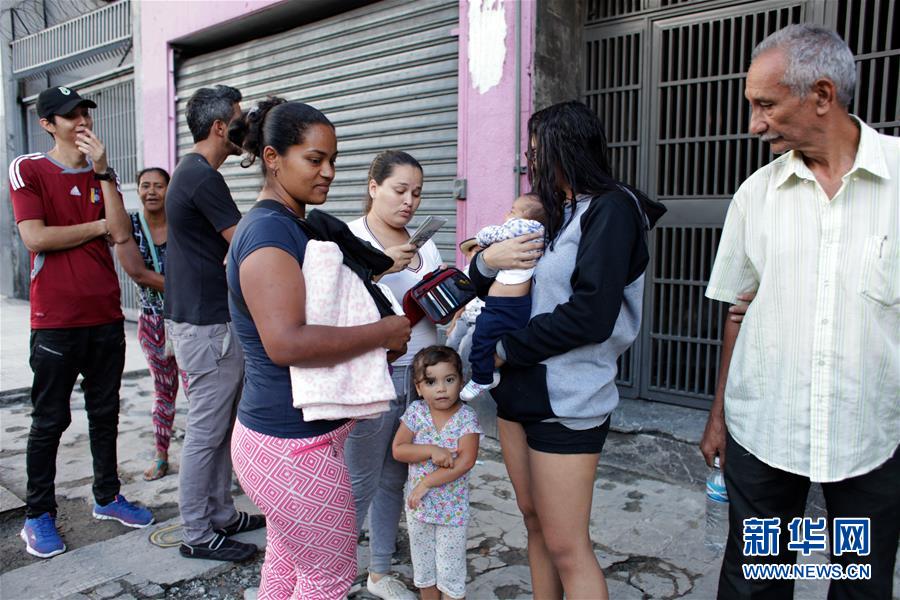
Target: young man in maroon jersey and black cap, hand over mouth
69 210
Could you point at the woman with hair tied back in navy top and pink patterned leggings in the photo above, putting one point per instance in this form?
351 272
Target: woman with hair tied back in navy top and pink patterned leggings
293 469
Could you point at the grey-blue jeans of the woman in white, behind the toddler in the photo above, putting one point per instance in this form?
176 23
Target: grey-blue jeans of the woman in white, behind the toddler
377 478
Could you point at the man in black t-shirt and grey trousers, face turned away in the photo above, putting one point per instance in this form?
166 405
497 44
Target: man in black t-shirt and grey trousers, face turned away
202 217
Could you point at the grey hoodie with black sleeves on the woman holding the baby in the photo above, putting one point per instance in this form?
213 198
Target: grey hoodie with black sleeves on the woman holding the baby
586 311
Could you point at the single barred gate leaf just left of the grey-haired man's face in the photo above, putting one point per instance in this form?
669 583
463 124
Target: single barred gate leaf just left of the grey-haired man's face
703 151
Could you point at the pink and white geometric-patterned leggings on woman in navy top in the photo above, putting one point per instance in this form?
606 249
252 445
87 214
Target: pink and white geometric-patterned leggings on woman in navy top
303 488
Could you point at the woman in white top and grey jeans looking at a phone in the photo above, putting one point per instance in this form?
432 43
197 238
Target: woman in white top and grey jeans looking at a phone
394 193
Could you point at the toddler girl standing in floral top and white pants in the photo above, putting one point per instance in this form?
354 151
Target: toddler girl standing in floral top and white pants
438 437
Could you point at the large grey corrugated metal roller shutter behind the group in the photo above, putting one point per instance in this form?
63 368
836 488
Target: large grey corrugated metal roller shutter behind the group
386 76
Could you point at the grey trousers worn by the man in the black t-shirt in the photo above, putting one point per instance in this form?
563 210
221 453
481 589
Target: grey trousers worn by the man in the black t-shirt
212 358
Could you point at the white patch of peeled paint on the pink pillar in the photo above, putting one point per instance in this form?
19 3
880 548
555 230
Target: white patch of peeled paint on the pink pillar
487 43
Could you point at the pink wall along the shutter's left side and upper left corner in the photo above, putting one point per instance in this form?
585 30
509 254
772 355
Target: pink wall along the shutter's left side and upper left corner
161 22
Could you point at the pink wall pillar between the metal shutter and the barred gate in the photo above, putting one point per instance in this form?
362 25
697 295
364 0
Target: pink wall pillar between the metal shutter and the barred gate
487 122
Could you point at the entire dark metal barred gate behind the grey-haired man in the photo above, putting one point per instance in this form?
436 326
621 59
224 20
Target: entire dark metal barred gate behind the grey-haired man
667 79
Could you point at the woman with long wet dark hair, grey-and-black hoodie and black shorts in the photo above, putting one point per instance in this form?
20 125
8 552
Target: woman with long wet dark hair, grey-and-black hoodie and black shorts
557 374
